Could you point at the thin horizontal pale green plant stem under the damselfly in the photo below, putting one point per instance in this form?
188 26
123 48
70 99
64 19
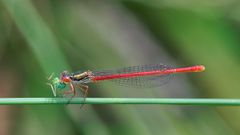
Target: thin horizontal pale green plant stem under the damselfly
160 101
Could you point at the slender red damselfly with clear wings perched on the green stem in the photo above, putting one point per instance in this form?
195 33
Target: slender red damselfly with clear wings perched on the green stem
136 76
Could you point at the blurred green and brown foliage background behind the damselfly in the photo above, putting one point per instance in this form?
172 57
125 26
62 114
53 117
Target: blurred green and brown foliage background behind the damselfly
41 37
